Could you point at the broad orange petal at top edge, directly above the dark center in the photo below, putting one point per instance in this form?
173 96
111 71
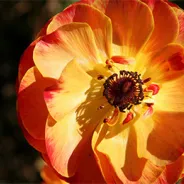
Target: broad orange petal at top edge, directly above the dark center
124 16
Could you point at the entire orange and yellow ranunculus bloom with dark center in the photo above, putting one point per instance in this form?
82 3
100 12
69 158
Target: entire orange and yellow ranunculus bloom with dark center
101 94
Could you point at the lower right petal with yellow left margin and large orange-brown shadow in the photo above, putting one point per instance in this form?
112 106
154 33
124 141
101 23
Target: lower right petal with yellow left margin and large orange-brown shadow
160 138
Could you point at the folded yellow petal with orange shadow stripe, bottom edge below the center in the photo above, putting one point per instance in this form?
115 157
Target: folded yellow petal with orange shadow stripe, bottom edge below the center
117 157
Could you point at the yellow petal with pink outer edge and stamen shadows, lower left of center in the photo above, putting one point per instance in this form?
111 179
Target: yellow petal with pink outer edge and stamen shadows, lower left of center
66 138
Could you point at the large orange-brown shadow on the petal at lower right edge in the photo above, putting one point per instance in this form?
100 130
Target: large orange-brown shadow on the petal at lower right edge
166 141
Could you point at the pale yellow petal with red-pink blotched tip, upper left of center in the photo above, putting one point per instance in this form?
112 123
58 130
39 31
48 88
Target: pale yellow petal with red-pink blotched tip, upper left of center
54 51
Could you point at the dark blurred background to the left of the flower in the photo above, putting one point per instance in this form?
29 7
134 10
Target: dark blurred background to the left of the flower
20 21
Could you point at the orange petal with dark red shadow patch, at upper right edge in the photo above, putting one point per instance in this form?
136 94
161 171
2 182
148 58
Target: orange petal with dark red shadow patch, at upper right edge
167 64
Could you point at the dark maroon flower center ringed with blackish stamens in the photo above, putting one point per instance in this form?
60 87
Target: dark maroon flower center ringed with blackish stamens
124 90
